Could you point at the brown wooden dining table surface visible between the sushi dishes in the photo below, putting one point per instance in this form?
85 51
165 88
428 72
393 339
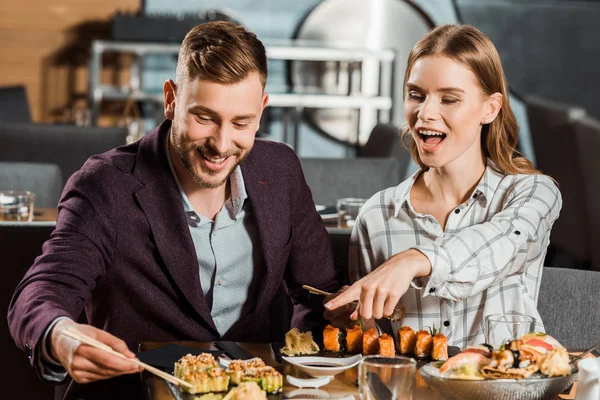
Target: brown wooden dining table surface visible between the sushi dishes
342 386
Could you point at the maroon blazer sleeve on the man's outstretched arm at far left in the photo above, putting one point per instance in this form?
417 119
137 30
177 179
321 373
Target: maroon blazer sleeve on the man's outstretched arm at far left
72 261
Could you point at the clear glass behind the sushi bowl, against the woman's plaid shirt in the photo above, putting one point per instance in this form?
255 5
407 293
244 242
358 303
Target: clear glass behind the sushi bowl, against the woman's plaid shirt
500 328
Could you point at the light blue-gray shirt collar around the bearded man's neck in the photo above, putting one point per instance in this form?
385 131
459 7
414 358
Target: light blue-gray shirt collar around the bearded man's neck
233 204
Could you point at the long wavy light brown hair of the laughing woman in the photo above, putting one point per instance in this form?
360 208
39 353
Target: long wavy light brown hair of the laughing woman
470 47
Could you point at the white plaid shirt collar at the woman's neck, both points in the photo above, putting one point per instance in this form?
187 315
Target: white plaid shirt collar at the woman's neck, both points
484 190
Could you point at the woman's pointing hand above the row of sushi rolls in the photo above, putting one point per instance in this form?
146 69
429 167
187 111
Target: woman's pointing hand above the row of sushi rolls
379 292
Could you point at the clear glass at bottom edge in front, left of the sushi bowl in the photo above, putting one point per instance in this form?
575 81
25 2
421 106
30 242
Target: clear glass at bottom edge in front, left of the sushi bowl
382 377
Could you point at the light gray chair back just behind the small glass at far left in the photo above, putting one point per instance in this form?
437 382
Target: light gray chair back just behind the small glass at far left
44 180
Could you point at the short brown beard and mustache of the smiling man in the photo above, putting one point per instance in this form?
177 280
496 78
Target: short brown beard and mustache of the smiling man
184 150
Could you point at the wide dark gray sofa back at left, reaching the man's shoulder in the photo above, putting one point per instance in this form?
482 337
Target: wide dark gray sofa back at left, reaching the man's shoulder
65 145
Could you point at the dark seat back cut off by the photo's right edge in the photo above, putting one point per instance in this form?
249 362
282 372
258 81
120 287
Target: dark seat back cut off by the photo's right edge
587 131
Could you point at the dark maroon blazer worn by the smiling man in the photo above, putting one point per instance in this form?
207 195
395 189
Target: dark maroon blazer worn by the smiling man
123 251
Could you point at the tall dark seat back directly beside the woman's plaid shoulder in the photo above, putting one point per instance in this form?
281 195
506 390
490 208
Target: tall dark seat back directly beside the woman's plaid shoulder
553 136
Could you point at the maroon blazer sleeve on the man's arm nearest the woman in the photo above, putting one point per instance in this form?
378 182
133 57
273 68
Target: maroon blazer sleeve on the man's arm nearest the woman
311 259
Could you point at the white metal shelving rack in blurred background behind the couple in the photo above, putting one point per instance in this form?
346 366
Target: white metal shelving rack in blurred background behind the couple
374 108
